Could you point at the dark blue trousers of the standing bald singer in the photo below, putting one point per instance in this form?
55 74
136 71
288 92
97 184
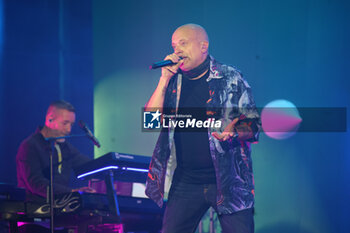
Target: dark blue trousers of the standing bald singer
187 203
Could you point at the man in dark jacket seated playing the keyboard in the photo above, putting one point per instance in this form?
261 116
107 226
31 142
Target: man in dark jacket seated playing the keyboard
33 155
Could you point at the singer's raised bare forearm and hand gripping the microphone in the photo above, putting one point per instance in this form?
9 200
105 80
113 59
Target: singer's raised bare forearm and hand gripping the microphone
157 98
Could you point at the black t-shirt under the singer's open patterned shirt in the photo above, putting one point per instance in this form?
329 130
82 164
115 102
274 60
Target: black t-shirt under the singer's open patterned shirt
194 163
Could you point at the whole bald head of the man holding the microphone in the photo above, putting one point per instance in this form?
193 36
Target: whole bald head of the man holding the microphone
190 41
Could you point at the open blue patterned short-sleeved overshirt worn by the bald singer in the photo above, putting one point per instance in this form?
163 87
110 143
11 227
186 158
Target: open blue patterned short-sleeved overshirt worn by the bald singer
230 97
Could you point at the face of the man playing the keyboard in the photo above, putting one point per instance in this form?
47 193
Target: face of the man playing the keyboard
61 122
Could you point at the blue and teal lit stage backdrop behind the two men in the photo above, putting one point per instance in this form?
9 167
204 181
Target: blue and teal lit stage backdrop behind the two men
96 54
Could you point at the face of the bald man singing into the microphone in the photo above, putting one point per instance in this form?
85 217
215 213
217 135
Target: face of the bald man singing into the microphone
186 45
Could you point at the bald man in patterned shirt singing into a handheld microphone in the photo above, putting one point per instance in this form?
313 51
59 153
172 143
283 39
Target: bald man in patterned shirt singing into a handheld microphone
214 167
